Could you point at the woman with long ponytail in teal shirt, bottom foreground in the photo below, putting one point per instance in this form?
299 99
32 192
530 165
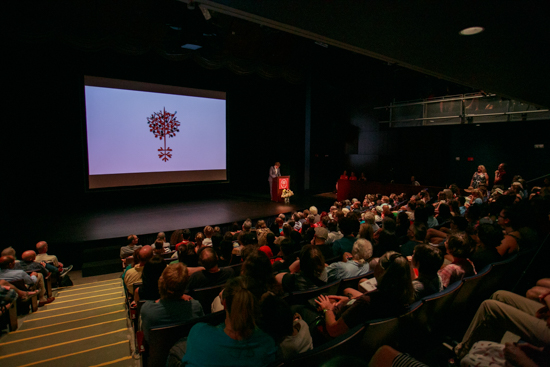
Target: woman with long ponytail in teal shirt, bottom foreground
236 342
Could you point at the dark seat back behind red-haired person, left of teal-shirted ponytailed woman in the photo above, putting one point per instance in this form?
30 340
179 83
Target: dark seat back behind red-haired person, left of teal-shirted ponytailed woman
163 338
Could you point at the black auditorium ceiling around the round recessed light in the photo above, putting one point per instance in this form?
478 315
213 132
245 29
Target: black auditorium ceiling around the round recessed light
276 38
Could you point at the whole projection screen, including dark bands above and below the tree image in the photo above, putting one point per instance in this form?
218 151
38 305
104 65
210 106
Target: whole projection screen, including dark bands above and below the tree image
125 121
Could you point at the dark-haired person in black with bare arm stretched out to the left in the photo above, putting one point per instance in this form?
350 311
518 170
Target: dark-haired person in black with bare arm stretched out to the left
394 293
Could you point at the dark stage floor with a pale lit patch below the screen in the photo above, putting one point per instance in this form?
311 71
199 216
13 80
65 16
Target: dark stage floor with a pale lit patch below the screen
115 222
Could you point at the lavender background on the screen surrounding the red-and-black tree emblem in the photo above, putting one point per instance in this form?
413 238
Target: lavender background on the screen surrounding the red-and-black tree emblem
119 140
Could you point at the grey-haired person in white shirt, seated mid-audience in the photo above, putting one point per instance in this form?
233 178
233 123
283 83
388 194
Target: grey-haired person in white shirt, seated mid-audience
354 264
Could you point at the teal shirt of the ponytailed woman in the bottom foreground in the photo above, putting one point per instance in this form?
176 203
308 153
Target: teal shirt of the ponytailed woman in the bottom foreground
210 346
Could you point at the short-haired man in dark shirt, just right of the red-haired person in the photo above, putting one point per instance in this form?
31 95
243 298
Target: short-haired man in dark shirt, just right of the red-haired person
212 275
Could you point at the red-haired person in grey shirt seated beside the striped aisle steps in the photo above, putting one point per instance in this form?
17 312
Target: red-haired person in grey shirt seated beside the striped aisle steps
174 307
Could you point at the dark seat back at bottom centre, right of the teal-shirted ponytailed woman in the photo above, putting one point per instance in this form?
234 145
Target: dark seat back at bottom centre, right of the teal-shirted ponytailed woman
342 345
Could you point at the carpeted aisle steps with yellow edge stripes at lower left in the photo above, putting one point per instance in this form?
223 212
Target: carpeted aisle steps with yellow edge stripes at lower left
86 325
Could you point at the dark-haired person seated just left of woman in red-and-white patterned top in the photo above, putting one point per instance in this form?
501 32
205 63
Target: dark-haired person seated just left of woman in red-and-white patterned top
427 260
